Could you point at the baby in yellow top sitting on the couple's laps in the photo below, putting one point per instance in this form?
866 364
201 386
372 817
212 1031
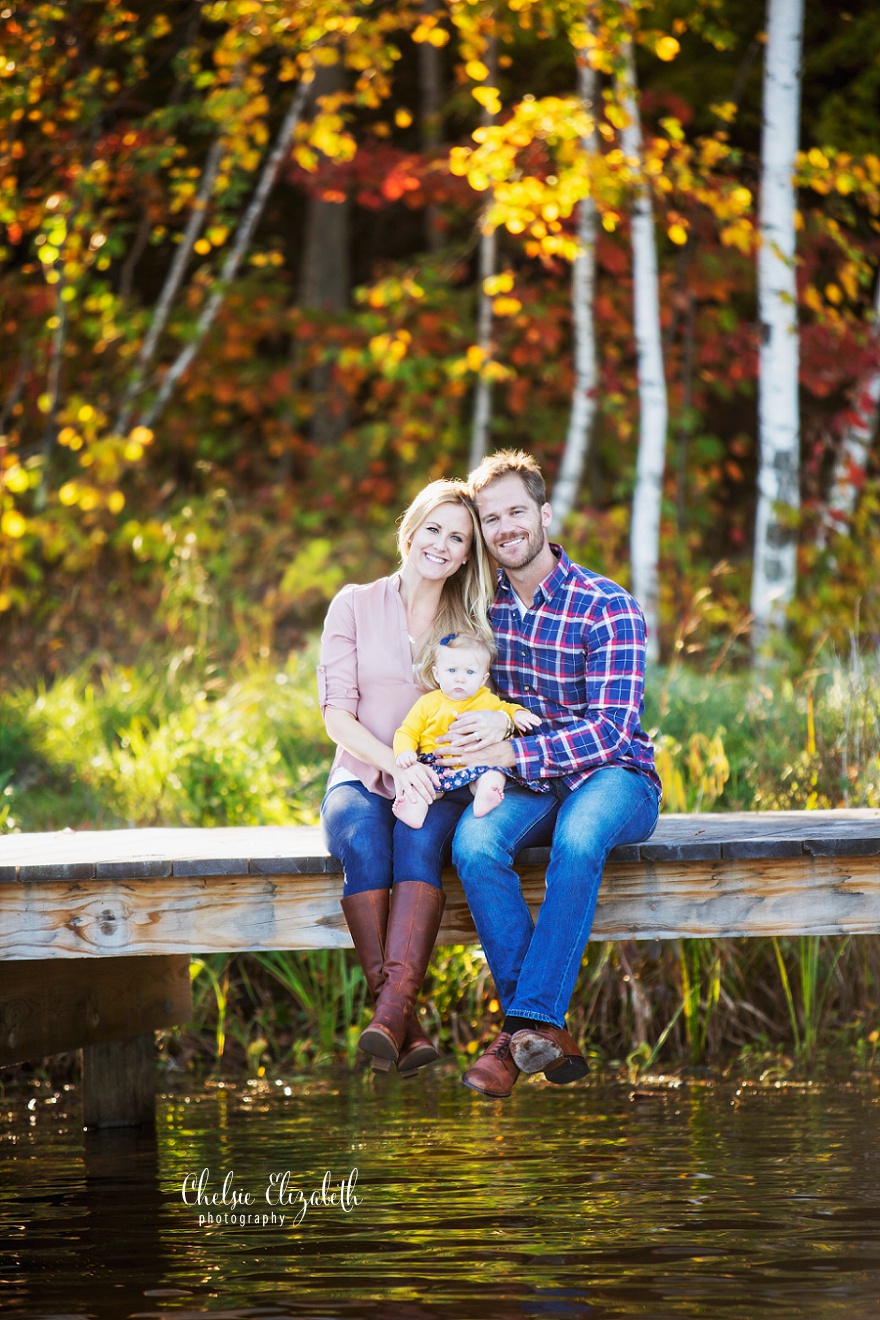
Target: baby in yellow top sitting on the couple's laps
461 671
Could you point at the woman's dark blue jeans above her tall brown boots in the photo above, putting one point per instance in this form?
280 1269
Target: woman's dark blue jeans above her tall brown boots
378 851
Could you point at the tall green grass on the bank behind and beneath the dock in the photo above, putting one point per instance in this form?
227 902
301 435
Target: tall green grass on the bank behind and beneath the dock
193 746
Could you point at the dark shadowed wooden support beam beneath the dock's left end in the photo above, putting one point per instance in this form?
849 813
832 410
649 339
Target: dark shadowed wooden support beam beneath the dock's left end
60 1005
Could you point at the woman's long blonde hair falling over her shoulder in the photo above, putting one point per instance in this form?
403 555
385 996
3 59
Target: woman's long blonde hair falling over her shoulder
468 596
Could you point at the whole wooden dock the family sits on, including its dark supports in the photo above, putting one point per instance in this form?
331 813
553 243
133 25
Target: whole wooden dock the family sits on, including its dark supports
97 929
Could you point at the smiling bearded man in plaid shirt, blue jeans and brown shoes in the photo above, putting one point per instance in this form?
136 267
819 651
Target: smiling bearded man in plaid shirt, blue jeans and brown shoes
572 649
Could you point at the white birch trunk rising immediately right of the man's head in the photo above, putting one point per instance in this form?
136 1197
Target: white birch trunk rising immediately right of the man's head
584 282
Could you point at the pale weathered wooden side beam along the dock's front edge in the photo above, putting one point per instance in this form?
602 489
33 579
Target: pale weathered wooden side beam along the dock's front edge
728 897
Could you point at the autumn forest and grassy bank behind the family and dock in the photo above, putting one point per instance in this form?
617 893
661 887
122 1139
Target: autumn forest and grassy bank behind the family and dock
270 267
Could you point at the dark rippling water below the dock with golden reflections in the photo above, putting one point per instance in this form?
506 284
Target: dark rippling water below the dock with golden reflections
561 1202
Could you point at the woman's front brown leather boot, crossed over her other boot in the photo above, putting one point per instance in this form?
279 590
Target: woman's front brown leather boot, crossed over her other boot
414 921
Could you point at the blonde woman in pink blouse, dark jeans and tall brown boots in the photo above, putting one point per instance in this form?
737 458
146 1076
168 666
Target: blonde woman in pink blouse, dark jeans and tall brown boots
375 645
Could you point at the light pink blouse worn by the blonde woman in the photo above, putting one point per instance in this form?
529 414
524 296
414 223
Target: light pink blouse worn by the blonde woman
367 669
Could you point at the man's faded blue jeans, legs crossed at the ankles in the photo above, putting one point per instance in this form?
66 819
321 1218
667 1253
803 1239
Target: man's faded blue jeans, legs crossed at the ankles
535 966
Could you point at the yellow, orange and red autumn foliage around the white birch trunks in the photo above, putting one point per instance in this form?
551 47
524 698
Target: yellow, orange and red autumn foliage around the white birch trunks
192 452
